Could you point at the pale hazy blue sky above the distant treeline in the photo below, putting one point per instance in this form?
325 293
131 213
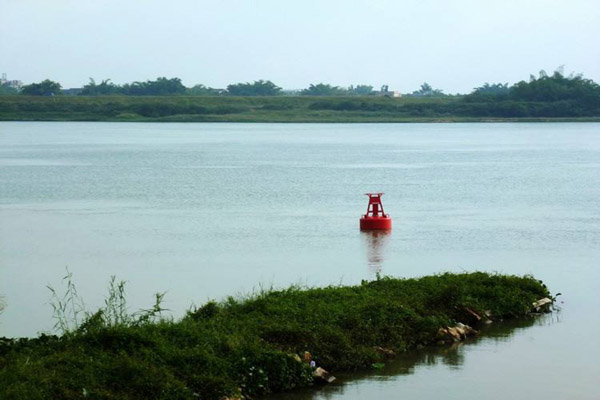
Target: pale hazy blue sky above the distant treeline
454 45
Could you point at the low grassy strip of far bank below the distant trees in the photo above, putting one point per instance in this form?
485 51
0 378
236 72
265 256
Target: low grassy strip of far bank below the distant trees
283 109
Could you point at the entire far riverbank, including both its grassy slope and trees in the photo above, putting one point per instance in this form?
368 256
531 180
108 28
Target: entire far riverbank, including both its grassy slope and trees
545 98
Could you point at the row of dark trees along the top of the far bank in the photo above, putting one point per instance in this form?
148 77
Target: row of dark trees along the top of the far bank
544 88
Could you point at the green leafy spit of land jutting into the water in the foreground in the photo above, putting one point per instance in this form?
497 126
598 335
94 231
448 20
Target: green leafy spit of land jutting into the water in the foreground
252 346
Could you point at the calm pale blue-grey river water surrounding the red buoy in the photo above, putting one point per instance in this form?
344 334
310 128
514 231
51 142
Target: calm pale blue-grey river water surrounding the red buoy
203 211
